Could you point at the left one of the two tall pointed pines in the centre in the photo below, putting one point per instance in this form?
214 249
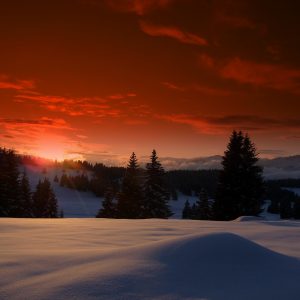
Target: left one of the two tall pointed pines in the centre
130 199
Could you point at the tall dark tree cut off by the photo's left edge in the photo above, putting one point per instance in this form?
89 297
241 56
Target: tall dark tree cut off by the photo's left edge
9 183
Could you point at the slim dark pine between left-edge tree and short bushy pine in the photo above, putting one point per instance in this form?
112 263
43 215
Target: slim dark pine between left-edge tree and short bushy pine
25 204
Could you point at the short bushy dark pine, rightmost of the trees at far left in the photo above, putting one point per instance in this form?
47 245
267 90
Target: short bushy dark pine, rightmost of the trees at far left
44 201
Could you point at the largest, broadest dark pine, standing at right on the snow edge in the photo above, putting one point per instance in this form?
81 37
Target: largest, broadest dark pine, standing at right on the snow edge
240 186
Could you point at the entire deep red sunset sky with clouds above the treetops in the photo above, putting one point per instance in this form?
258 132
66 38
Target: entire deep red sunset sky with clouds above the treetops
98 79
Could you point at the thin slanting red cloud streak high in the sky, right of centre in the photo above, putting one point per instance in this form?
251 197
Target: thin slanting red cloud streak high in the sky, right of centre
172 32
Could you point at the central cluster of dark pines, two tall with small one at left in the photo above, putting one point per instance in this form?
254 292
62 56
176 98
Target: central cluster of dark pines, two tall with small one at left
143 193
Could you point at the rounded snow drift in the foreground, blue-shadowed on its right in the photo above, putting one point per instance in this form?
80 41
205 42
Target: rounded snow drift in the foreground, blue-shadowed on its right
212 266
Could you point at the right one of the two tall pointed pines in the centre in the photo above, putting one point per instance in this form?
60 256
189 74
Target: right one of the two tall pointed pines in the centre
156 196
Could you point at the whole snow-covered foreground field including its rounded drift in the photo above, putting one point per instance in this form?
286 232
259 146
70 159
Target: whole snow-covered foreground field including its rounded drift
149 259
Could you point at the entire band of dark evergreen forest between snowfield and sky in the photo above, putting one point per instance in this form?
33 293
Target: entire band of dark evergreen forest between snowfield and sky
135 192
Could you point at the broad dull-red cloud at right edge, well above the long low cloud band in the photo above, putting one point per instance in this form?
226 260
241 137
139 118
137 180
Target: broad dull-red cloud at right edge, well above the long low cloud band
273 76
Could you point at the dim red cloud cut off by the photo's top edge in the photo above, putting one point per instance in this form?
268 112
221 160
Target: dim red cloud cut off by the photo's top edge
139 7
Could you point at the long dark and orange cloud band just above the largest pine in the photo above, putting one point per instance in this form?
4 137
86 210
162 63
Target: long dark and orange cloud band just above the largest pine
220 125
